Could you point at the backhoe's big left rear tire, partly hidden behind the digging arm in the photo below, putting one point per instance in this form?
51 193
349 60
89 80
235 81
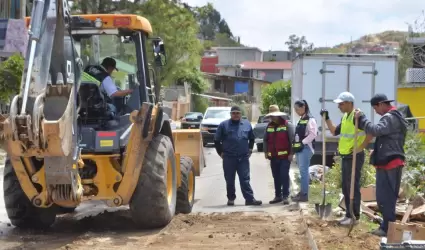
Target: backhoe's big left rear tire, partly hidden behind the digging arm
21 212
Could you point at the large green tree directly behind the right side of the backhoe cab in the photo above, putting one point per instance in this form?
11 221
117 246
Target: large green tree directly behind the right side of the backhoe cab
178 27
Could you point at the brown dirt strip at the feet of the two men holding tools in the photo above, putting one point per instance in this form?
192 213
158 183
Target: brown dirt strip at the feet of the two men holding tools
328 235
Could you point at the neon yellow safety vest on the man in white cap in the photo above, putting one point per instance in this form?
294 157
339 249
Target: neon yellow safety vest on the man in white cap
346 140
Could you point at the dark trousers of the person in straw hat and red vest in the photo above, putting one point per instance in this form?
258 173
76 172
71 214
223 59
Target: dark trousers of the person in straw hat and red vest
280 172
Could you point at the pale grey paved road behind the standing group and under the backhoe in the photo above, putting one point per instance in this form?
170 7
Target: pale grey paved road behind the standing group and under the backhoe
210 193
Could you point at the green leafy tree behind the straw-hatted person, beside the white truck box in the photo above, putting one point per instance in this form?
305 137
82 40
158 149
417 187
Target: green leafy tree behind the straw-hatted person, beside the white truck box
278 93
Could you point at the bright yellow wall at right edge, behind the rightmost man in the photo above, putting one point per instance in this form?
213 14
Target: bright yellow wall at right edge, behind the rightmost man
414 97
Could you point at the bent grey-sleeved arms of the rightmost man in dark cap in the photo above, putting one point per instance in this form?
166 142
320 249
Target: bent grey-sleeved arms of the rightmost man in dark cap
385 126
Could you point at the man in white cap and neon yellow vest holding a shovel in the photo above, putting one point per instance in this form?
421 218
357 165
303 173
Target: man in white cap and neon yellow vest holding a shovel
346 131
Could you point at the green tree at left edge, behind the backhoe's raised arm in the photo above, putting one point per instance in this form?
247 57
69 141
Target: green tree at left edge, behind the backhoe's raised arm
10 77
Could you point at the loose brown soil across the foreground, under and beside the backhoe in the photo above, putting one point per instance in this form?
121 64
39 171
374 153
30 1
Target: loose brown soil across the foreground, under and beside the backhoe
235 231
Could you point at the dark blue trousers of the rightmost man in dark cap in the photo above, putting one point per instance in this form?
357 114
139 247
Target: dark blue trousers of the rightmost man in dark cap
387 189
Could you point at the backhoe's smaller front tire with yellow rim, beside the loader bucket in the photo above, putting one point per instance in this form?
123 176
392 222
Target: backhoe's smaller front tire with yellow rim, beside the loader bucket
186 192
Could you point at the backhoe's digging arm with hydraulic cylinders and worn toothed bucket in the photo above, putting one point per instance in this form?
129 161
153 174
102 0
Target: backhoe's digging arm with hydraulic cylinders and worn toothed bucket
43 118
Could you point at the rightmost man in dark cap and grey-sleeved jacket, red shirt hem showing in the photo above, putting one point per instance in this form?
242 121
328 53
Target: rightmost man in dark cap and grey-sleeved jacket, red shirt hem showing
387 156
